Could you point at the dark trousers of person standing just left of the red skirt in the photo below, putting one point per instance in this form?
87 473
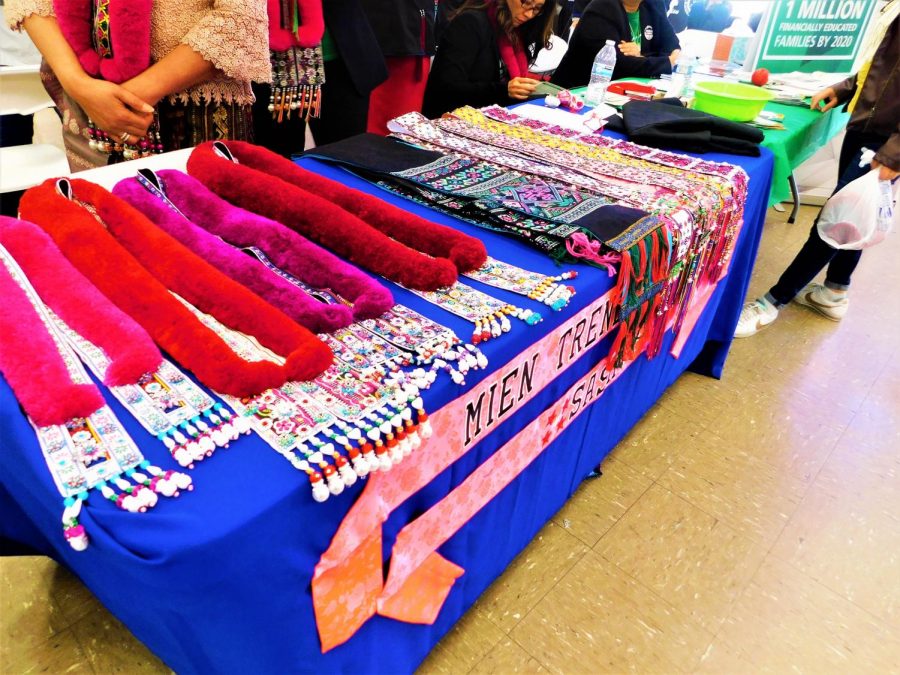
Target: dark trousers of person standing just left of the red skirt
345 112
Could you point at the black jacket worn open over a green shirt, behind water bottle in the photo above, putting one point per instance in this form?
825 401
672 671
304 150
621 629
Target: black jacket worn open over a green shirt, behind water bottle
606 20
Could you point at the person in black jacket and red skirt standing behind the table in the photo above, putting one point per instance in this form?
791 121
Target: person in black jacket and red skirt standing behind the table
406 34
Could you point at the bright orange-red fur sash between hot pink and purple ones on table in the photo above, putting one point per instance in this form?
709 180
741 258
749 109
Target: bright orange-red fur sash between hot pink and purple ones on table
137 268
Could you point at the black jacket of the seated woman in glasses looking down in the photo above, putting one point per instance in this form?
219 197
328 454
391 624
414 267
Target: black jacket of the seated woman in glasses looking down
467 69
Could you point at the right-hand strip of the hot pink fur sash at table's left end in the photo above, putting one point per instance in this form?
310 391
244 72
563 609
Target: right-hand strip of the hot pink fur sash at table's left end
80 304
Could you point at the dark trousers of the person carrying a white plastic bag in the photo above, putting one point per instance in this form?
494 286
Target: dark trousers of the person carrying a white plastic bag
816 254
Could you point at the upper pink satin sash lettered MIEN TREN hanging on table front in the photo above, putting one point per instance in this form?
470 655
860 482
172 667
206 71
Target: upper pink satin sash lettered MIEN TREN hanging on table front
348 579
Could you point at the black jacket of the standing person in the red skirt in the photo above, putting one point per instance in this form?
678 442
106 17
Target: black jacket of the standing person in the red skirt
403 27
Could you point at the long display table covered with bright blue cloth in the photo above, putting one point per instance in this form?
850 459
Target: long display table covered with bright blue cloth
219 580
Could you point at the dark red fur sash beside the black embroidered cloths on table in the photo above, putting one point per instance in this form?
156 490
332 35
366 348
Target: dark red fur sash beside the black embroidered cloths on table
361 228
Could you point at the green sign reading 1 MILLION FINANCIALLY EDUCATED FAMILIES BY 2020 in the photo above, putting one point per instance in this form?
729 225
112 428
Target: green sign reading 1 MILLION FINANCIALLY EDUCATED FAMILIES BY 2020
810 35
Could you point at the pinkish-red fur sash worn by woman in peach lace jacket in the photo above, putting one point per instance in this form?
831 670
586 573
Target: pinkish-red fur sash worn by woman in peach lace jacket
128 34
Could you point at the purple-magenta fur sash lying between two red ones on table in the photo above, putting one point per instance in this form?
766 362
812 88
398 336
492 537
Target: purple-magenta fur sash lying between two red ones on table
206 219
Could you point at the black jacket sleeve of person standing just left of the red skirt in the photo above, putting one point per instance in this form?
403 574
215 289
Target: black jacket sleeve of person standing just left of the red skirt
356 43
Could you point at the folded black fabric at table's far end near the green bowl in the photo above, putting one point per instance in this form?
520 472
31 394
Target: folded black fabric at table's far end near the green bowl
667 124
